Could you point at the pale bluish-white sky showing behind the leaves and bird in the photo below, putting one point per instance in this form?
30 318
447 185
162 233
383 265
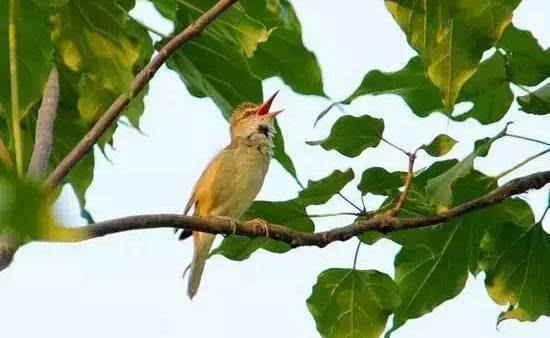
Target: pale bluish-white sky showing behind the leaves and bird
130 284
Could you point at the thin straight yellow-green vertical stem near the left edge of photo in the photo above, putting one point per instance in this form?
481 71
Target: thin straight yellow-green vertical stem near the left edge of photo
15 114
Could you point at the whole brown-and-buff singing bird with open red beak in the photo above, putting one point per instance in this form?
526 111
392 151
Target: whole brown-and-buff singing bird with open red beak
231 181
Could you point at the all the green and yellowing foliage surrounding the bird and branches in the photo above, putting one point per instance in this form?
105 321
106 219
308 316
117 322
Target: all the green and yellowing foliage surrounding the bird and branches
99 55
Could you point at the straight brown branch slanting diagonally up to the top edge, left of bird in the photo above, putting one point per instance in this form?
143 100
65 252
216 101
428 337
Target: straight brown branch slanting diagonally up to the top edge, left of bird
141 80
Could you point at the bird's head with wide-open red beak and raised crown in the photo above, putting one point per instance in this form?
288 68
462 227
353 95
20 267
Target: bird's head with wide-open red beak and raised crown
251 118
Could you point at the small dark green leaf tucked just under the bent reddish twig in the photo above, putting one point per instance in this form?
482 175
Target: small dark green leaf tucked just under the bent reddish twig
379 181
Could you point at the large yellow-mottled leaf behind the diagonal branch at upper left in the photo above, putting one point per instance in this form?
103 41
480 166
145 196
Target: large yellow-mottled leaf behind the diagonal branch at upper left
98 57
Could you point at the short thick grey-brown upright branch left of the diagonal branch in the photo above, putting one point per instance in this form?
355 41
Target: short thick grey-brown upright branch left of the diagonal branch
44 128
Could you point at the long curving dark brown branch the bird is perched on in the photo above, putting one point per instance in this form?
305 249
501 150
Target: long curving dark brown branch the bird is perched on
379 222
